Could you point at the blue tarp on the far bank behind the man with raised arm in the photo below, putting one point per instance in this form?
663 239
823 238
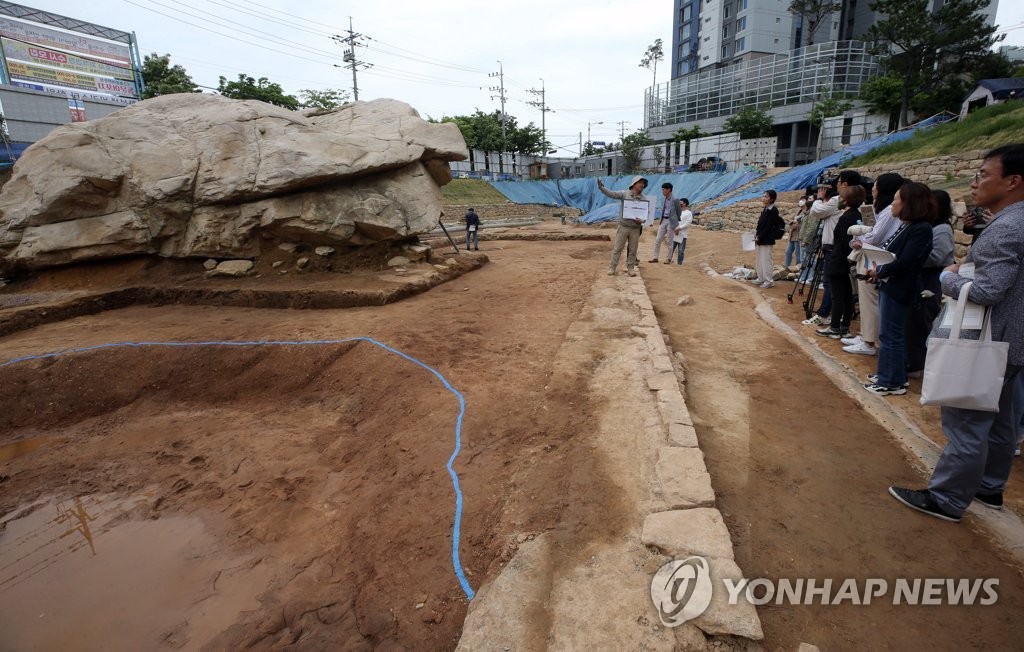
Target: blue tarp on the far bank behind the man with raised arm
583 194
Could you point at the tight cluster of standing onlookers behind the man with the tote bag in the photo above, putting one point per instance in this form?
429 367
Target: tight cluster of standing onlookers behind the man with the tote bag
898 263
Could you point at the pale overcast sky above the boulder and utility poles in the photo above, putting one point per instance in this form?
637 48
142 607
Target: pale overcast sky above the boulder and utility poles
437 57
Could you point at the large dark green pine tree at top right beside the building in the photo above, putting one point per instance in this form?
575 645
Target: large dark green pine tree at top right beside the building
924 48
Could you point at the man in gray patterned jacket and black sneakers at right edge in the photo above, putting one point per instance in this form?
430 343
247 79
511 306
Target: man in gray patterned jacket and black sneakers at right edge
976 462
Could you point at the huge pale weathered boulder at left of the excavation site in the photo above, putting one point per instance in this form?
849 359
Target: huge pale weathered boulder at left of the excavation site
200 176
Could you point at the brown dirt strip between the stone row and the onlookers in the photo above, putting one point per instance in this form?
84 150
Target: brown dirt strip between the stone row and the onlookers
801 472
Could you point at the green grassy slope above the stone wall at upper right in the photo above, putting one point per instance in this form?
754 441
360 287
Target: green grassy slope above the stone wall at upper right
984 129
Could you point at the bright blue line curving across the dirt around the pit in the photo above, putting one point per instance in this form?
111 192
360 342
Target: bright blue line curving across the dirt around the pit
457 530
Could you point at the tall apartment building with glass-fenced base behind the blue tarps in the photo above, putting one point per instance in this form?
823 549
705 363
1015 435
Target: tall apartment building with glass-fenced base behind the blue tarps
731 54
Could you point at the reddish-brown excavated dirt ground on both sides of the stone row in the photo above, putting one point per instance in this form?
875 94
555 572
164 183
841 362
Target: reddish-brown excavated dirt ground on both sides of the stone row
273 497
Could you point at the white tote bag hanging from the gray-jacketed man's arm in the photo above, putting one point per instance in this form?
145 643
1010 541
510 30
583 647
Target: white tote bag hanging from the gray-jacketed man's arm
965 374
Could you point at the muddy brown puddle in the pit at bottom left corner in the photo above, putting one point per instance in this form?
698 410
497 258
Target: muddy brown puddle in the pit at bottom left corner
91 574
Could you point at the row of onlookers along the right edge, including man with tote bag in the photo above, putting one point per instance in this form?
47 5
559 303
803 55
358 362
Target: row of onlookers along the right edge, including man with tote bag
905 265
